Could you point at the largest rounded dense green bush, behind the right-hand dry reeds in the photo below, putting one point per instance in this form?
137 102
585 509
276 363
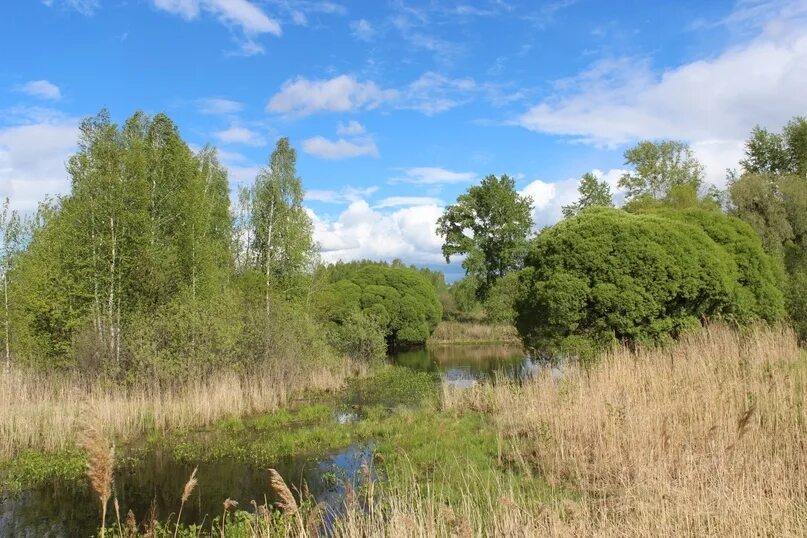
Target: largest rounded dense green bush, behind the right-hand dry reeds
607 275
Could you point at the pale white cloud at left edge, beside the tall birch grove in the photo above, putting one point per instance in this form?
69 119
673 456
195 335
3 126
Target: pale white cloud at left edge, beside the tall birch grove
33 157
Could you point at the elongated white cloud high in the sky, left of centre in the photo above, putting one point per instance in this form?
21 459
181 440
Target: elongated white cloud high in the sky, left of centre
340 94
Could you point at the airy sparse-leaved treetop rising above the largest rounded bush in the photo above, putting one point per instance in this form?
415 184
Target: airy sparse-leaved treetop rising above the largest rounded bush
658 167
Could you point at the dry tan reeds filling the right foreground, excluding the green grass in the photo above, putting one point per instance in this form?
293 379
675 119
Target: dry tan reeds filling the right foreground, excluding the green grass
708 438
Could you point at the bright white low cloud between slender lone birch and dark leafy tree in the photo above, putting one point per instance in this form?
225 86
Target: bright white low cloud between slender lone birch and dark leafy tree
362 232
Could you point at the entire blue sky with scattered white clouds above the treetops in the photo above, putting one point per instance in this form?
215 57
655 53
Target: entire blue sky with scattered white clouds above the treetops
396 108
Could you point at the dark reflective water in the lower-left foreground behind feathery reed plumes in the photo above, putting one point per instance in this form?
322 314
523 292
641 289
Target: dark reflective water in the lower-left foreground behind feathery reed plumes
60 510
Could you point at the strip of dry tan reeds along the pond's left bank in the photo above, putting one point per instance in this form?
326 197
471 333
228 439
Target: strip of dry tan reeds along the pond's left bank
43 411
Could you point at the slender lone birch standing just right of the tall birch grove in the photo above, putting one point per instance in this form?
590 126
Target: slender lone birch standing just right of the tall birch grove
282 237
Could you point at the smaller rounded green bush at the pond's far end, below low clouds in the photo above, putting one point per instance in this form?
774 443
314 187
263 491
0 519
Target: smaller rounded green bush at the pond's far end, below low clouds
400 299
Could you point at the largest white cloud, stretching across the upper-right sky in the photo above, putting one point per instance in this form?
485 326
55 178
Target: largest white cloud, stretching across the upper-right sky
713 103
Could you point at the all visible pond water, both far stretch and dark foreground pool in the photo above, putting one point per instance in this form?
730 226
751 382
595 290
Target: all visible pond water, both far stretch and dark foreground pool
71 510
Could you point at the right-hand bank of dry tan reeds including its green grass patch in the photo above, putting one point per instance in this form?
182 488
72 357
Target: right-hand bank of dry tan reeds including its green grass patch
702 439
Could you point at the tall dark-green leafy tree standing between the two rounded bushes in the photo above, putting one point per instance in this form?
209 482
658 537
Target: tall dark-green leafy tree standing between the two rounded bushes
489 224
